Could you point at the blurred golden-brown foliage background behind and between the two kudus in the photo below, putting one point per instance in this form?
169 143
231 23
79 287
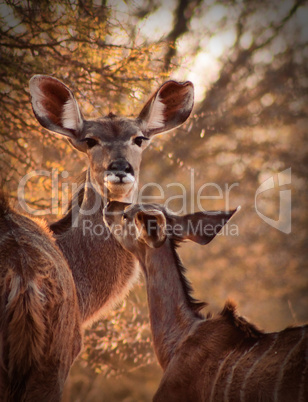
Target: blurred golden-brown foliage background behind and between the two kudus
248 61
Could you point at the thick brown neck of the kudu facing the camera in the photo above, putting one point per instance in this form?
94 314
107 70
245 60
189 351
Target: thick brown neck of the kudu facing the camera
103 271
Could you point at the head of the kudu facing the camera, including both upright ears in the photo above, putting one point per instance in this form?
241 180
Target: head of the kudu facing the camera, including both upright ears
113 144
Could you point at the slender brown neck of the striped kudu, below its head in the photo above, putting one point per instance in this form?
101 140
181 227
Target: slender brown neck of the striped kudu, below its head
173 311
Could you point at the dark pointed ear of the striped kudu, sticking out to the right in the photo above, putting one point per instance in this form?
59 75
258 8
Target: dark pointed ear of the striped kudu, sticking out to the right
200 227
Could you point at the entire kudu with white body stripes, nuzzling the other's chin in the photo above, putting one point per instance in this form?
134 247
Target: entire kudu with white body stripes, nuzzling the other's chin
220 358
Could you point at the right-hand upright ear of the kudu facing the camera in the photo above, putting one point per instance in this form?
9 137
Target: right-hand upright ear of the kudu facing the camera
167 108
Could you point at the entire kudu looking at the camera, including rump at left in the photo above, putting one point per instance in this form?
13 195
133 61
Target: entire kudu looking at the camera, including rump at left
44 303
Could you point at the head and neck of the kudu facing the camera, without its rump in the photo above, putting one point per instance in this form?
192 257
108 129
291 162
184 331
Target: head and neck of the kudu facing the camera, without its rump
102 270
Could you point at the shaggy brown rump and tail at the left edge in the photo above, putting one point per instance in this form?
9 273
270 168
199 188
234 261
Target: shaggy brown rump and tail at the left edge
40 328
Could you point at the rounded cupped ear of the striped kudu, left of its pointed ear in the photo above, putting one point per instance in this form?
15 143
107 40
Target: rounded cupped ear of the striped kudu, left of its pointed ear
151 227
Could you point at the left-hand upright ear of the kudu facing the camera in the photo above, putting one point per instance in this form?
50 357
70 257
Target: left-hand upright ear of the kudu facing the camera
56 108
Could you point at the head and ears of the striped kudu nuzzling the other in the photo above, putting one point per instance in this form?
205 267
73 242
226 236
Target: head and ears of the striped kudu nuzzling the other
149 225
